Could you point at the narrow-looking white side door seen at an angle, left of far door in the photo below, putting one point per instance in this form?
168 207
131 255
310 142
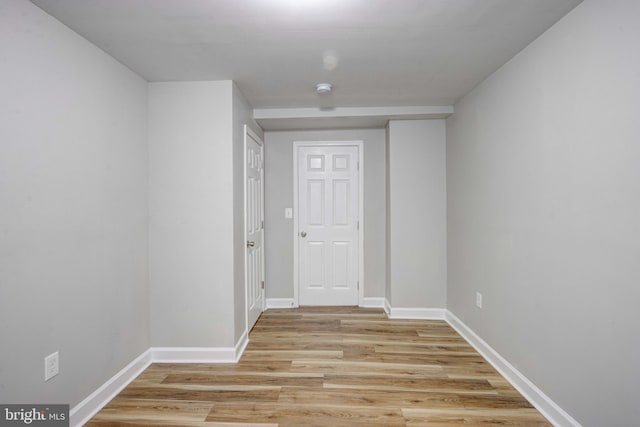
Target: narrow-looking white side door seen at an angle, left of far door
254 226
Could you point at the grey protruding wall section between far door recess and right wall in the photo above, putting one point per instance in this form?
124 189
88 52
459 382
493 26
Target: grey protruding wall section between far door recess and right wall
417 241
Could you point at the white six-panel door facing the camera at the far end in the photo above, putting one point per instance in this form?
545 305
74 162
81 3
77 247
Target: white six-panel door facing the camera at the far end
328 228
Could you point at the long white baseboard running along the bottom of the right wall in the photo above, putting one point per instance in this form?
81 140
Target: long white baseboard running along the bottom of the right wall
547 407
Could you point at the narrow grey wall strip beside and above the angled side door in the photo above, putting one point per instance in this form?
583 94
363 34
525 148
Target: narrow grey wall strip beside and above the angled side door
242 114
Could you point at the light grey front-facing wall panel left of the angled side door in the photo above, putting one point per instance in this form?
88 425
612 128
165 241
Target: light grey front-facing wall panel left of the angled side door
191 234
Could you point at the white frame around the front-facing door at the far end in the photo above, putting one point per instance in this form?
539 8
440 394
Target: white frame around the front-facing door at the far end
296 255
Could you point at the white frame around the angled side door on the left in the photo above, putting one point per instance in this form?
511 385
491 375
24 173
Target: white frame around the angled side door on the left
248 132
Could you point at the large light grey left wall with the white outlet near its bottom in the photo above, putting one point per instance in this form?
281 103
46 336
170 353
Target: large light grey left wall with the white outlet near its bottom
73 206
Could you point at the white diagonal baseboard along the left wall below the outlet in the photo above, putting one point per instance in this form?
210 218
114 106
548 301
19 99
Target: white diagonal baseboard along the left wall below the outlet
83 411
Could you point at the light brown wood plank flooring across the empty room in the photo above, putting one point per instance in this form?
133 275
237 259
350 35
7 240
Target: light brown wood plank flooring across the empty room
329 366
